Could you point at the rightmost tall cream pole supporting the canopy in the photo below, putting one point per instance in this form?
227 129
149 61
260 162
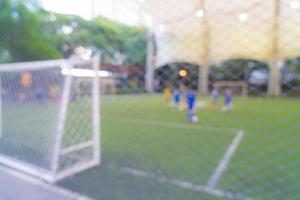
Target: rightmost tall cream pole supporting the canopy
274 85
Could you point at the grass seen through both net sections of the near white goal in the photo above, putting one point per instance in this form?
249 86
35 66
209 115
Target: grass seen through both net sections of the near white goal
29 130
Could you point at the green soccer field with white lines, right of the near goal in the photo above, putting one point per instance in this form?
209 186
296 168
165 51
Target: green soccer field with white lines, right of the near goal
150 152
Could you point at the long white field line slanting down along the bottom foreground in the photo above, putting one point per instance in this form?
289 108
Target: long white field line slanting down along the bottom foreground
184 184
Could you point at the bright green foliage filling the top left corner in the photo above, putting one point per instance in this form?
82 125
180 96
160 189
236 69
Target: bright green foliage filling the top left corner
20 33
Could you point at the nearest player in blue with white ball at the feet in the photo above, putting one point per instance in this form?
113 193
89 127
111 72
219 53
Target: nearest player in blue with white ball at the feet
191 98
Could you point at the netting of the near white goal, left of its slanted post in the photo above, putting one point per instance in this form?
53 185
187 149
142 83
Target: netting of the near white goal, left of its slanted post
24 136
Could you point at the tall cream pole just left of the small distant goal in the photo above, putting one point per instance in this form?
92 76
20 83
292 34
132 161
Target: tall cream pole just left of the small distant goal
204 70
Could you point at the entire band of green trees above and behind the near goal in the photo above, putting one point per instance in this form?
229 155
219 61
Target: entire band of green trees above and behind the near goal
36 34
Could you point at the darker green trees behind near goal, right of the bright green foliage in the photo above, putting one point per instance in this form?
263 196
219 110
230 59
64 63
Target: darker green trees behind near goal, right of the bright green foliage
113 39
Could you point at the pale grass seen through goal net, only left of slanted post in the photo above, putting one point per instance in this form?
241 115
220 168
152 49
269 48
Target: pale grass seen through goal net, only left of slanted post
27 132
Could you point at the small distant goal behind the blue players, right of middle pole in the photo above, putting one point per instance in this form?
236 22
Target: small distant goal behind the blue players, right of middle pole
239 88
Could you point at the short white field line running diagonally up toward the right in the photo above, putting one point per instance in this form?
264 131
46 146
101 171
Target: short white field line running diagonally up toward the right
214 180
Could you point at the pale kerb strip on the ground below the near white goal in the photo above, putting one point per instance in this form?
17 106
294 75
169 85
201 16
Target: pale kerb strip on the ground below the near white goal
39 183
